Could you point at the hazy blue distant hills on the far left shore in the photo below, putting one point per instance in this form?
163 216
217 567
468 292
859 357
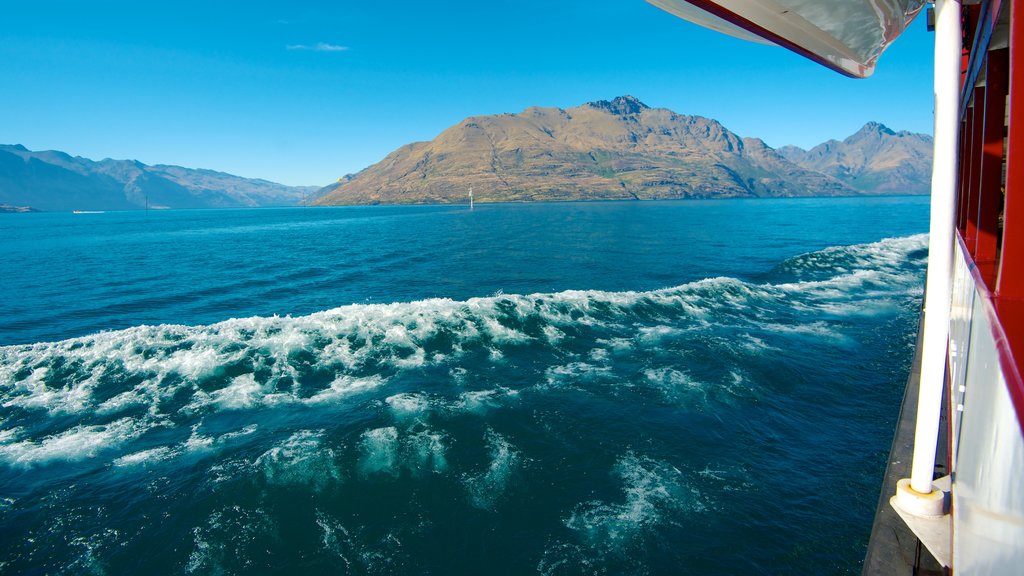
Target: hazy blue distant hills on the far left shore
55 181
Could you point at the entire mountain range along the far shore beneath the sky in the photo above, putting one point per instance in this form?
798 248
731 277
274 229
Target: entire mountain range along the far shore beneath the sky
605 150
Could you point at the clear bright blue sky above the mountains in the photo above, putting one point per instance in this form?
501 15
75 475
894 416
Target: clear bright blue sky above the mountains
304 93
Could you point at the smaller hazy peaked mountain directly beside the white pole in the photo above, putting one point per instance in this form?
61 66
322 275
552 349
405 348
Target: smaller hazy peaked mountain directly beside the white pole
876 160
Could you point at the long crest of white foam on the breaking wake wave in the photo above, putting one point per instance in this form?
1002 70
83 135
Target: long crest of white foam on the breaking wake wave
364 348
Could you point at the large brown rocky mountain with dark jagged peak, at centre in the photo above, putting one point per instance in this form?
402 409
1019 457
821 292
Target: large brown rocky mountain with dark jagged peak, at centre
615 150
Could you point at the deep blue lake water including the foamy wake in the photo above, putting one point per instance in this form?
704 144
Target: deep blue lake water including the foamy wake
664 388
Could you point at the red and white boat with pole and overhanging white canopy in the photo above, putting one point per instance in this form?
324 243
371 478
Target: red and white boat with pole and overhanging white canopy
958 506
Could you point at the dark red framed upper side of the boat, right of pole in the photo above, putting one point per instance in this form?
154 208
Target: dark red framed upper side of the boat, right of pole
991 191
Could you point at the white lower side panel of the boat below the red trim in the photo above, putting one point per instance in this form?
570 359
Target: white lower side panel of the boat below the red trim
987 445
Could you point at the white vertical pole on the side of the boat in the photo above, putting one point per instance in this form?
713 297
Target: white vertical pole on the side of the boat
941 243
